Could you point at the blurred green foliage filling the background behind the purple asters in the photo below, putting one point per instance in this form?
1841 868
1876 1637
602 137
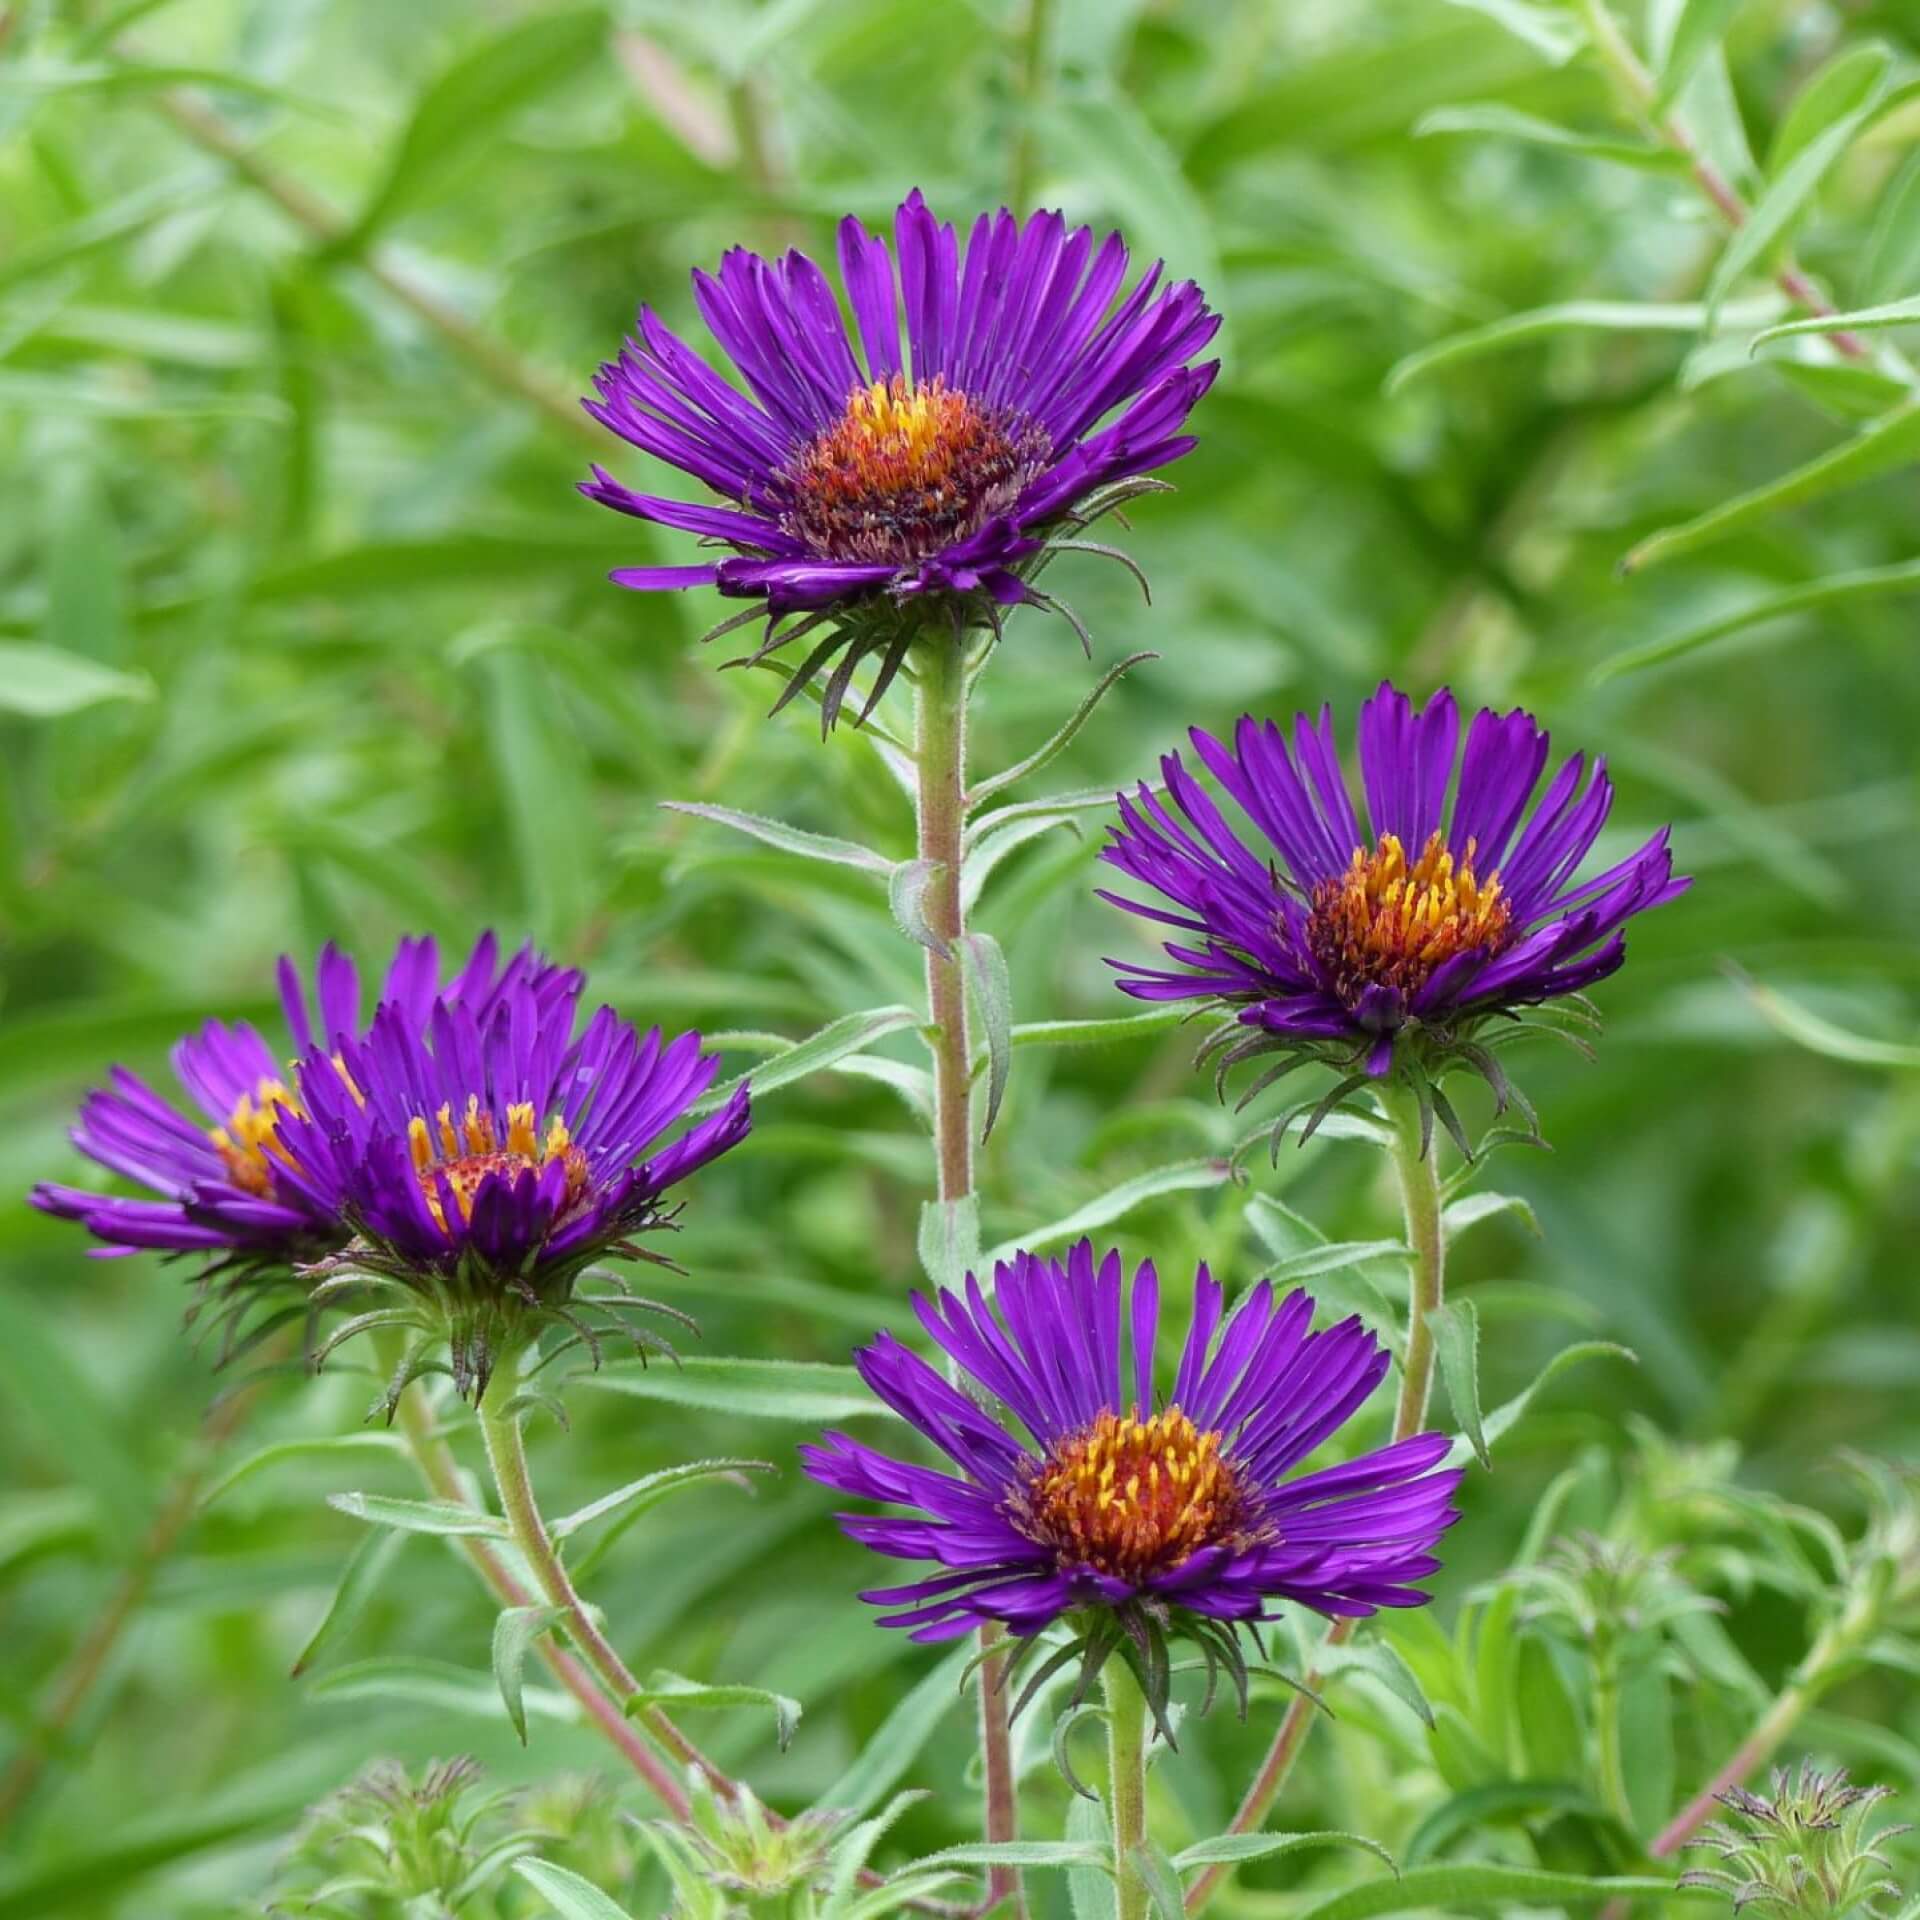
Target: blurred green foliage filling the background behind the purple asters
304 635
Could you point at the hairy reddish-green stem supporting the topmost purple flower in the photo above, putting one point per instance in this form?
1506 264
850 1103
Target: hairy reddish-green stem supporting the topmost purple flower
940 754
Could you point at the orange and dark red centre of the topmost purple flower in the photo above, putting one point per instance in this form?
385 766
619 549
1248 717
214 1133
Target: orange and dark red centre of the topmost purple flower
905 471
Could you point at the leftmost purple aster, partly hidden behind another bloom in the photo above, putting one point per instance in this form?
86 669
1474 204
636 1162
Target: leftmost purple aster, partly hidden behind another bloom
218 1176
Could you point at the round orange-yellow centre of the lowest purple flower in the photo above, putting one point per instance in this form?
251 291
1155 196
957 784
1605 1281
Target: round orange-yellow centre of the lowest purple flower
1134 1499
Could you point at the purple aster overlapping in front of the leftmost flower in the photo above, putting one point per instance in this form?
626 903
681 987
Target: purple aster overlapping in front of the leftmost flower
485 1157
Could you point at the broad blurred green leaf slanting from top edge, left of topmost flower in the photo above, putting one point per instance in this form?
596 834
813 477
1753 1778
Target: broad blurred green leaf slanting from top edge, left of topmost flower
462 112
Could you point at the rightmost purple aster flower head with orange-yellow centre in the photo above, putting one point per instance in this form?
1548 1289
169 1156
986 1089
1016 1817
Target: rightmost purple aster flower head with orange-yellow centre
1393 942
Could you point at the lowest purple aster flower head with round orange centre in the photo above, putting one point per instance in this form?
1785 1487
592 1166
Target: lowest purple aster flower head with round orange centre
1128 1514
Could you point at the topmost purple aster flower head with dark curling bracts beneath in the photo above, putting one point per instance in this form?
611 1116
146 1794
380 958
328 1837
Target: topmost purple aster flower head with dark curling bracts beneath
876 481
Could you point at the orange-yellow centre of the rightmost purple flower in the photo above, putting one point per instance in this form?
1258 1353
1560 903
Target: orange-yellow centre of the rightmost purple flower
1387 923
